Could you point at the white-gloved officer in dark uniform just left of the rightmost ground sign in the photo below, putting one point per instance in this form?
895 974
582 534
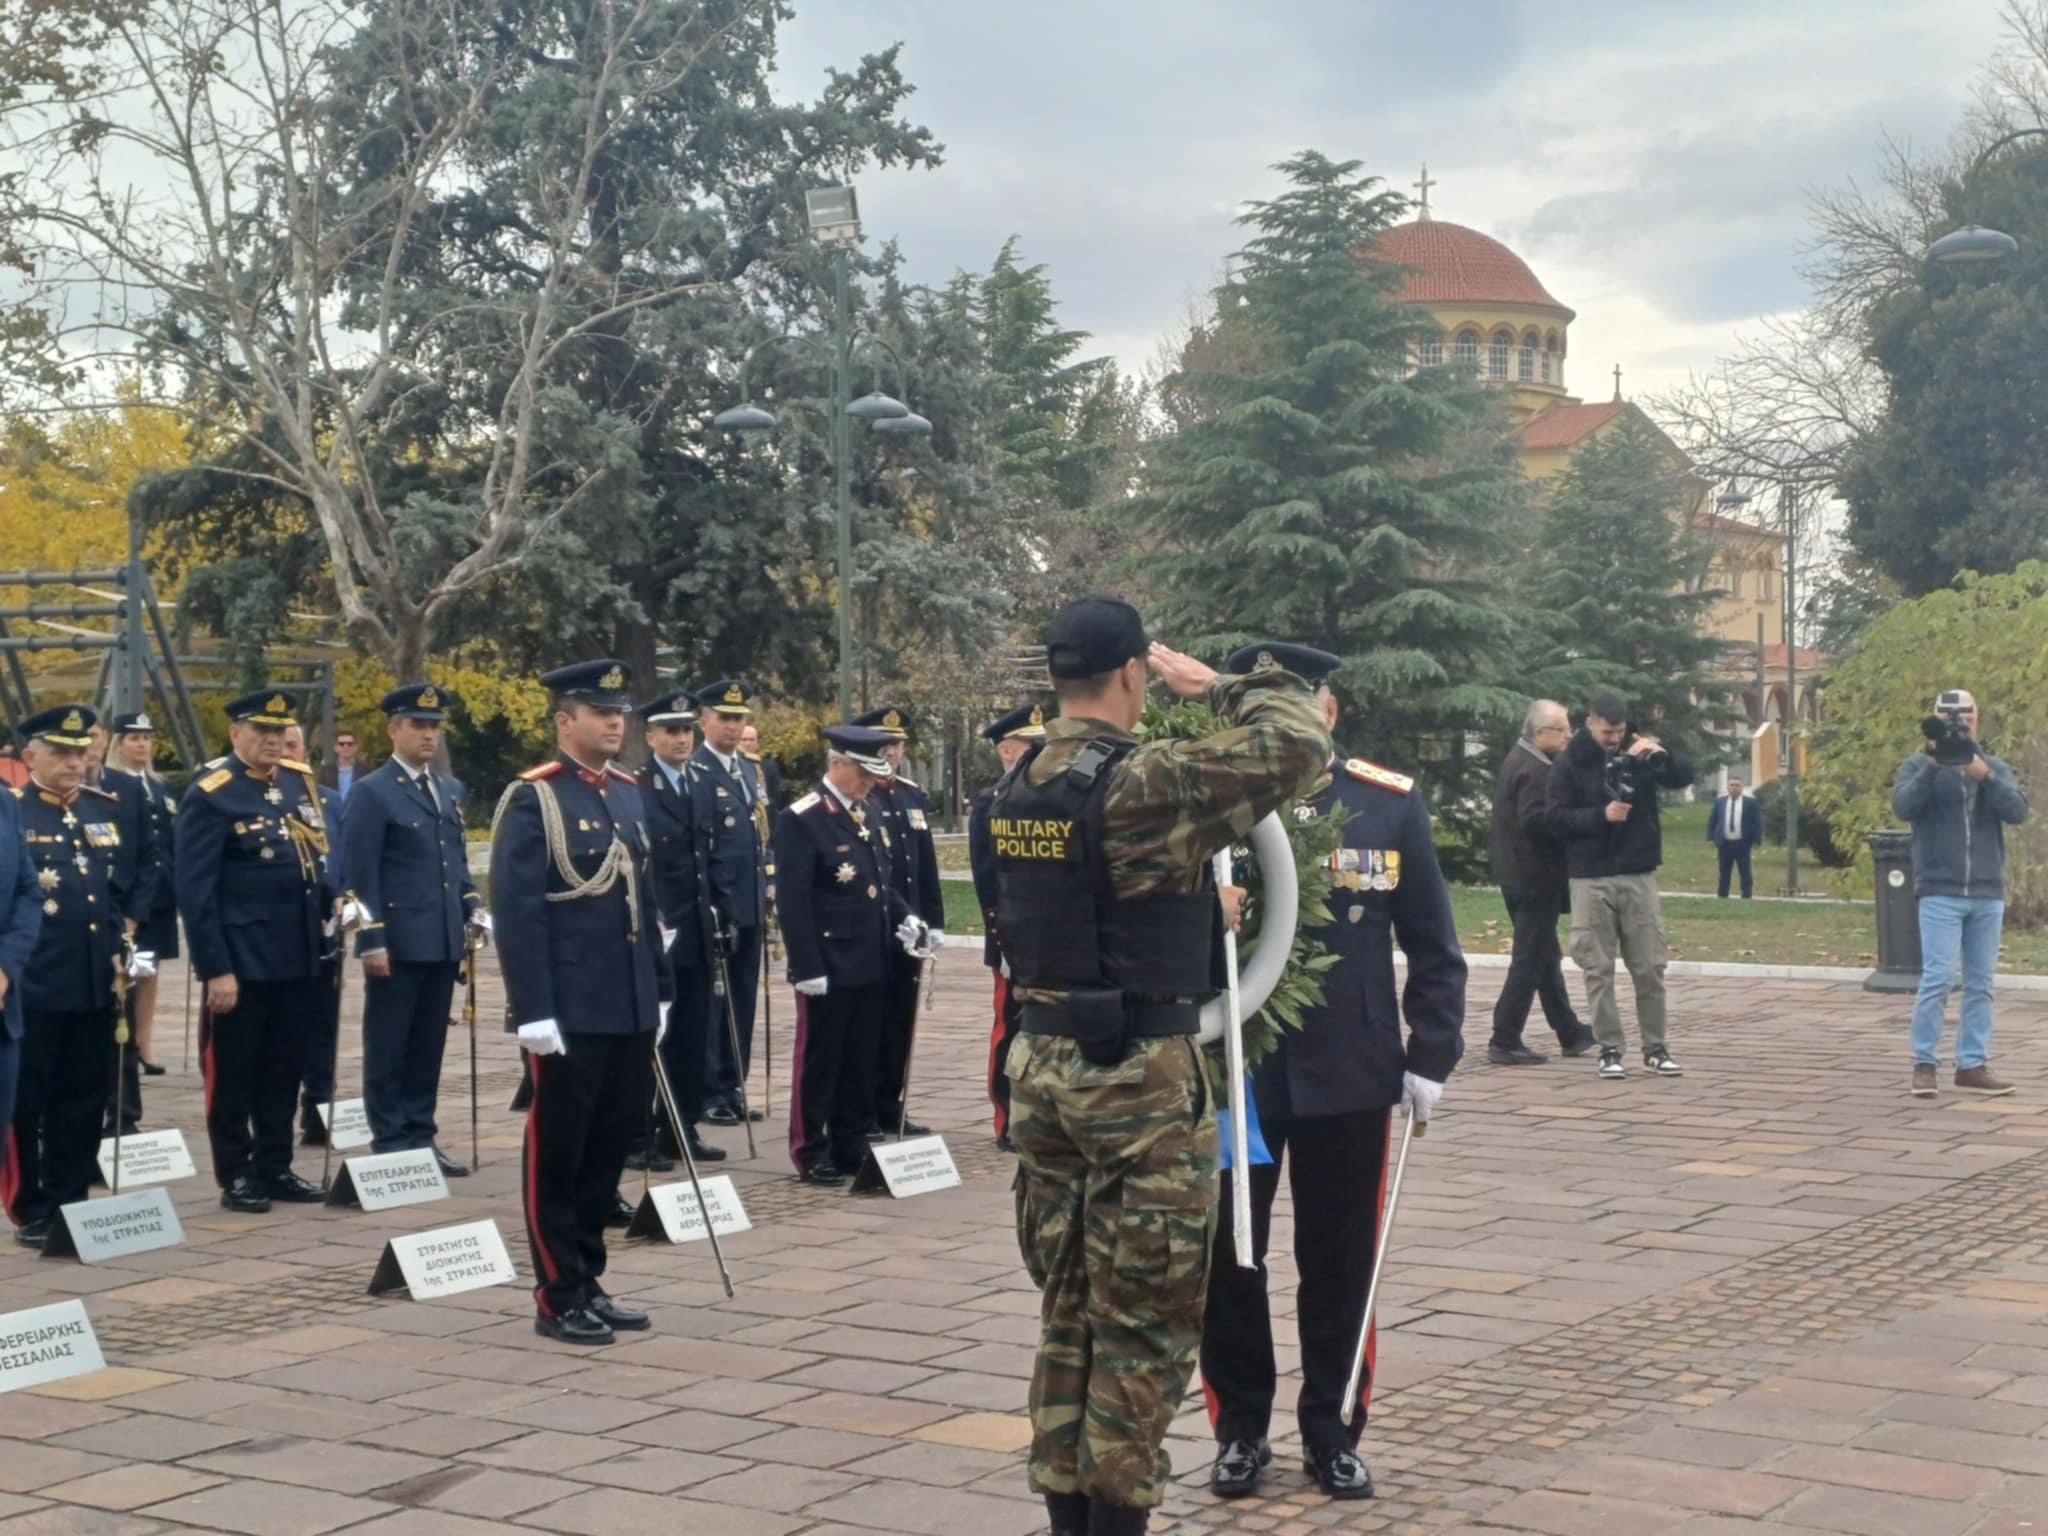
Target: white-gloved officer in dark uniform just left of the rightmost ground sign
839 912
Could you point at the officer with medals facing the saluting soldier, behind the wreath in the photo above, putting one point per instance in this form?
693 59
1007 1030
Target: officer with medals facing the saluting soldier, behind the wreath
1324 1101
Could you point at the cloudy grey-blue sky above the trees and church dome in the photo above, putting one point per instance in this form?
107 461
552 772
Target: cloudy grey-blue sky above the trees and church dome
1650 161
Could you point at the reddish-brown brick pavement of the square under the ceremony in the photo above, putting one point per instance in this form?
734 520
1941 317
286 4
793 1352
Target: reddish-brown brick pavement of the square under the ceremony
1775 1295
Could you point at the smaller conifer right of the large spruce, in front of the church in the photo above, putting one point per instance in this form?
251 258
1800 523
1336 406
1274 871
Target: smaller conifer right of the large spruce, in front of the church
1615 579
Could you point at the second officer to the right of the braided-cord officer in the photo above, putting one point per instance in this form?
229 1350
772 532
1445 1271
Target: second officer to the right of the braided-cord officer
732 822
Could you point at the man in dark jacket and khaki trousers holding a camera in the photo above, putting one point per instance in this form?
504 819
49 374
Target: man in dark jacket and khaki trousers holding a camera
1603 806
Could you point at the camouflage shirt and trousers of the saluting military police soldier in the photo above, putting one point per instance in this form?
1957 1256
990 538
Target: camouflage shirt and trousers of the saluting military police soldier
1117 1179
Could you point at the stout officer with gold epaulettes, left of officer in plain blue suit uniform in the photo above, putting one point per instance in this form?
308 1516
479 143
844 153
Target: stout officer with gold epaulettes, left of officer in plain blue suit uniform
253 890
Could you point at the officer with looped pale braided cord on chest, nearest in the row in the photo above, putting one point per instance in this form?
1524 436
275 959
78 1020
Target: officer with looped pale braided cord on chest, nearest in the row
581 951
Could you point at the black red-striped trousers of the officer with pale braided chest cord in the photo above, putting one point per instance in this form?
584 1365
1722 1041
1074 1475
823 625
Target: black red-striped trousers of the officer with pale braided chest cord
587 1105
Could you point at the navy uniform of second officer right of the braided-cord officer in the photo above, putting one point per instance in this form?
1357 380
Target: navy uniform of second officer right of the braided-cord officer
736 873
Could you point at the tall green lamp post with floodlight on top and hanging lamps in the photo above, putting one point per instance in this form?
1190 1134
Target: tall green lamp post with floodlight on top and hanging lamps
835 220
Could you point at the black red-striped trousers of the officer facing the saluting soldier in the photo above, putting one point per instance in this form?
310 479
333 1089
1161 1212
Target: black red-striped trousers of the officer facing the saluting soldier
1336 1172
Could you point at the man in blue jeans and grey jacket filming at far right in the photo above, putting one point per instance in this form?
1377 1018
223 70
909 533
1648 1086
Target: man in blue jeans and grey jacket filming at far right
1959 812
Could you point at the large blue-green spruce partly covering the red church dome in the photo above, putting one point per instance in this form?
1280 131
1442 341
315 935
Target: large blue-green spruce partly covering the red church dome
1322 490
